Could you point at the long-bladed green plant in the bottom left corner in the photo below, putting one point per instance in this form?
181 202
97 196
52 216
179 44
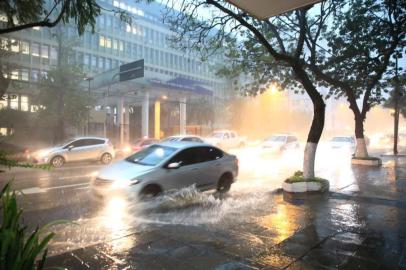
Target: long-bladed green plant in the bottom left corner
19 249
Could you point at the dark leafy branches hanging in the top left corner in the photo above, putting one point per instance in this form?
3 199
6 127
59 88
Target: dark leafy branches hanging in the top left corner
42 13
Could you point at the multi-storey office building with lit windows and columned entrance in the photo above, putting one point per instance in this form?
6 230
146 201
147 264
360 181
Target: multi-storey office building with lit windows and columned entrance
34 52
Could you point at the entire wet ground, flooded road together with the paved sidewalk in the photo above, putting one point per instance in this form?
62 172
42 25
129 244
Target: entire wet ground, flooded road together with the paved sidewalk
360 224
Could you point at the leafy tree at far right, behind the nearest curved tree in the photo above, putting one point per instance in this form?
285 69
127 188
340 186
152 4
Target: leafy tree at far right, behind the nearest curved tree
358 59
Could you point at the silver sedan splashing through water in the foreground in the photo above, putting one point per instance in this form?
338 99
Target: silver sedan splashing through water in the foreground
167 166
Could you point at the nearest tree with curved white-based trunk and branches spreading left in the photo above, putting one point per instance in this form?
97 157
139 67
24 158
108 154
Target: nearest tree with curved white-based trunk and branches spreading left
268 51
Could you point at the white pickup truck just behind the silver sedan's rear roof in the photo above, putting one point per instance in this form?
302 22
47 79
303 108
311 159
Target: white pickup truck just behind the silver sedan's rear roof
226 139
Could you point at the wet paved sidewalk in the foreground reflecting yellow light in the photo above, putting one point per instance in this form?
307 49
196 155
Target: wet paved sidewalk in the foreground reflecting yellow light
354 228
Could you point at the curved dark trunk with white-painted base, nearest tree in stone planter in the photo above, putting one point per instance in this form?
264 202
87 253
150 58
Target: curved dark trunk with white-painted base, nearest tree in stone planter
317 126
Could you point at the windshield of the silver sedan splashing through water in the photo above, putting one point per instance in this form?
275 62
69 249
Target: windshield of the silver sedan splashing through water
152 155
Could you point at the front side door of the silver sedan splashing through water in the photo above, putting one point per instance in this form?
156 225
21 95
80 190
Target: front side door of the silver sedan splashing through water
189 171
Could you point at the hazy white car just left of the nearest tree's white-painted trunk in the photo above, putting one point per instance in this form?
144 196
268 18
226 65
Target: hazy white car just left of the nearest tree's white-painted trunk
279 143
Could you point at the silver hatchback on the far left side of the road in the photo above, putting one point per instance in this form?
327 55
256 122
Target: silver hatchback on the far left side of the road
79 149
